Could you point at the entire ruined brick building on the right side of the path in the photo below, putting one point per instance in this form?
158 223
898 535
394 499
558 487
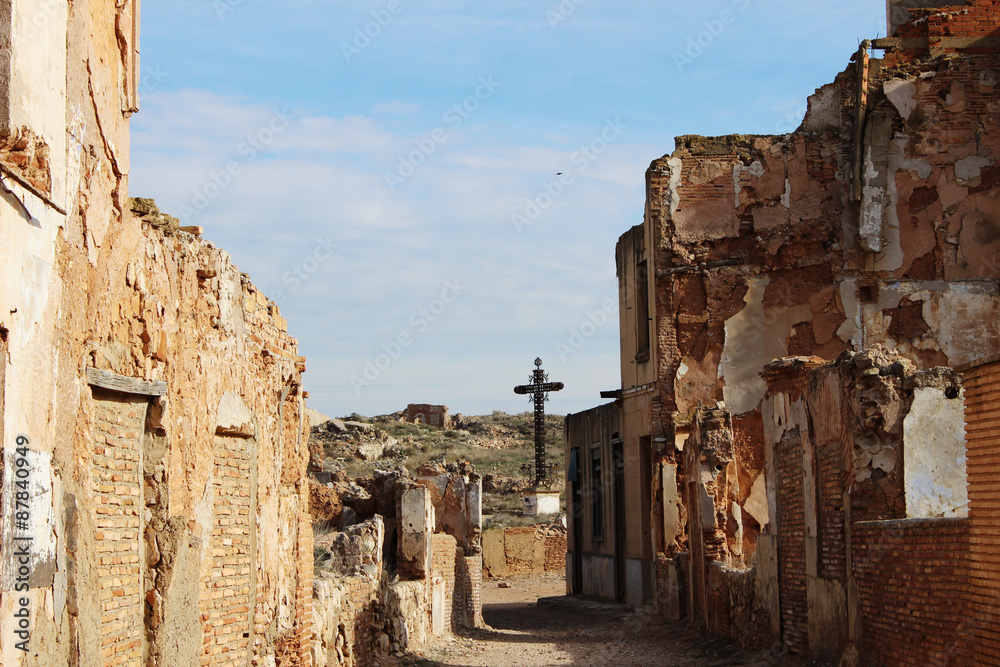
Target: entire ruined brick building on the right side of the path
798 502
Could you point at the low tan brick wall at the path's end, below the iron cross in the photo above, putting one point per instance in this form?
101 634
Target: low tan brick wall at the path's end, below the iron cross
523 550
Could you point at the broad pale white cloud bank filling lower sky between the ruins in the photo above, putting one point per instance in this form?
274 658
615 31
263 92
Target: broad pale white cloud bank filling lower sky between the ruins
322 177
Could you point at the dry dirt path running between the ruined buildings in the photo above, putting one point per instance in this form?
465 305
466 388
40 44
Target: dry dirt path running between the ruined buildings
527 632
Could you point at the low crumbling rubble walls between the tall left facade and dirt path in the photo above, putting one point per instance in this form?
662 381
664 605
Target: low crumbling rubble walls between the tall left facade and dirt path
400 562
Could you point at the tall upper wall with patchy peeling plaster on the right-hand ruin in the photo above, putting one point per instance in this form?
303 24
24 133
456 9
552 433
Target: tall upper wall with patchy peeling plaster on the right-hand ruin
761 251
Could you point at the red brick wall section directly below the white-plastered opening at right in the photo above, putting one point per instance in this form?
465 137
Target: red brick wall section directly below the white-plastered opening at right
913 581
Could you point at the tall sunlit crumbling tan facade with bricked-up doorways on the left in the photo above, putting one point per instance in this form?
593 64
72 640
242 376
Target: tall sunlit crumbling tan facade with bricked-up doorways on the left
154 504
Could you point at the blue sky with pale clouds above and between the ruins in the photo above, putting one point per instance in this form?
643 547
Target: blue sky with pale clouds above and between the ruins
387 169
